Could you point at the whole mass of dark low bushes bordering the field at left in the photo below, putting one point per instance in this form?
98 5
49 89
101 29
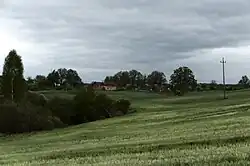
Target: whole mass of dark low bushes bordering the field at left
36 113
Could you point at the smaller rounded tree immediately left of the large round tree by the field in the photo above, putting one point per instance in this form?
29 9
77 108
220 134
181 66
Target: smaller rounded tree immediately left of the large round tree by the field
156 78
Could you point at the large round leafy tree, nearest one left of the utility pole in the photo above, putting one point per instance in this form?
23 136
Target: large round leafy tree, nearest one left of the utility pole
182 80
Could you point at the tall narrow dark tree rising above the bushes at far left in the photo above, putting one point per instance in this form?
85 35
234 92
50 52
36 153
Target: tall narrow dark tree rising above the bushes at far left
13 80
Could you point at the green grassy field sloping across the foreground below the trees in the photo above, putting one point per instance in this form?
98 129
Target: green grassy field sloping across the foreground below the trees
197 129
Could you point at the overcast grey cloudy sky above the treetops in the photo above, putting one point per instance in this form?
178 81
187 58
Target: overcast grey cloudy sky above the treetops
101 37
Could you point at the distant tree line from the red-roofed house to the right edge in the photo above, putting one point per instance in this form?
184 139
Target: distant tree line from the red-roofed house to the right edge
182 80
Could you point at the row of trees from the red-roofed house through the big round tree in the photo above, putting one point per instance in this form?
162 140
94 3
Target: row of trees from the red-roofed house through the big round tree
181 81
